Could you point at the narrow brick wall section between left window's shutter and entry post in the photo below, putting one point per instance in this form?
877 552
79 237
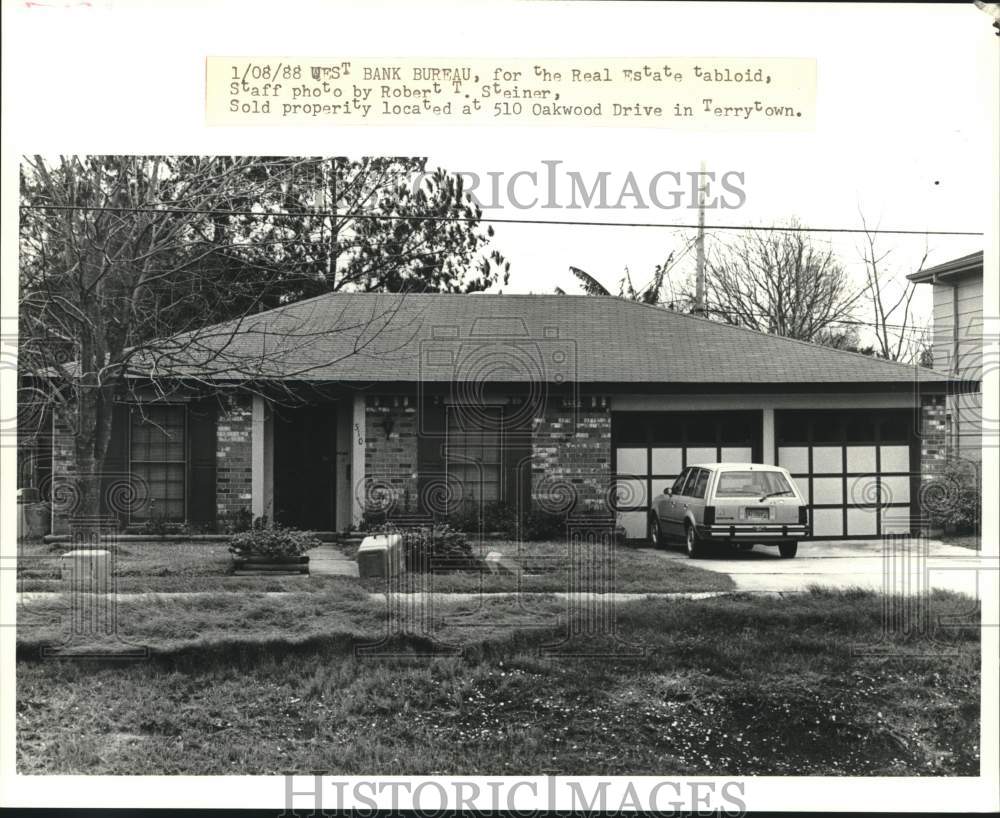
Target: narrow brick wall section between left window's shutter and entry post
233 482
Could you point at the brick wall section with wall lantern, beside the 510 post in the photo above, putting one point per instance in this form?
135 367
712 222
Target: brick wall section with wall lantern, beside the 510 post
390 454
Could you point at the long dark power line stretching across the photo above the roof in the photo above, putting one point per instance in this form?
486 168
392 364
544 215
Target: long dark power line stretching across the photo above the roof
502 220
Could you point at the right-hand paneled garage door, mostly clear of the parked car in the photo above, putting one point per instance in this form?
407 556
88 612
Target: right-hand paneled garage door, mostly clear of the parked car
857 469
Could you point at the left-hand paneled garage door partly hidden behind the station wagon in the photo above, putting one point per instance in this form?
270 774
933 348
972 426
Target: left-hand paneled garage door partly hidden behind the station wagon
649 450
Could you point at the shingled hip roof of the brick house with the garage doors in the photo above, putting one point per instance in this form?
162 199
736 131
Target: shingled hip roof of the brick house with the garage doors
362 337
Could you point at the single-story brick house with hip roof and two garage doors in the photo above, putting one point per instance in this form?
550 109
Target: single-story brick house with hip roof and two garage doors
419 403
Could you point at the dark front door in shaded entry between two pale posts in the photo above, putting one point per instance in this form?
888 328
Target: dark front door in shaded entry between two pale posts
305 467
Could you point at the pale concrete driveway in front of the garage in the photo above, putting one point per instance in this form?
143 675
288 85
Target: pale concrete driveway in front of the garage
910 568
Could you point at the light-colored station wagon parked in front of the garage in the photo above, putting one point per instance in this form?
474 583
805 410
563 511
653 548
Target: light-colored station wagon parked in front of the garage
741 504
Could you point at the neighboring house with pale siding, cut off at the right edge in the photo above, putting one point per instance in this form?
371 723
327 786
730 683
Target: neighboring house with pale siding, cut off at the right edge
958 347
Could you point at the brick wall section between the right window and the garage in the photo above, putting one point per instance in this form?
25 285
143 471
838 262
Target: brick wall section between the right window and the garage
571 456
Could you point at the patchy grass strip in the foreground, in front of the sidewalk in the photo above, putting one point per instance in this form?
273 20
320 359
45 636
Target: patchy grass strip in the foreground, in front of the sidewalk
252 684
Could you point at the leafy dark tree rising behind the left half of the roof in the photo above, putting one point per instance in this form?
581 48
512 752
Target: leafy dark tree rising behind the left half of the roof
377 224
